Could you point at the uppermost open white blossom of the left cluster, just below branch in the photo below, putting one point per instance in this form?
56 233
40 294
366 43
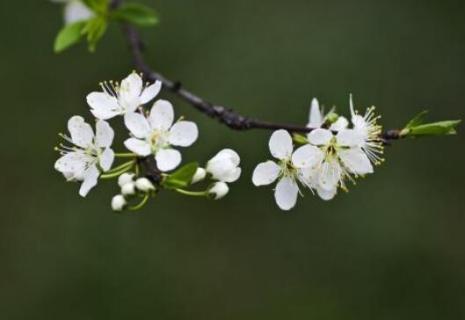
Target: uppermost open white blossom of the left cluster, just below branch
121 99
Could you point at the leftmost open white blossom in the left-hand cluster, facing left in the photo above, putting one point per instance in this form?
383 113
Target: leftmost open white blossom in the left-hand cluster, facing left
89 154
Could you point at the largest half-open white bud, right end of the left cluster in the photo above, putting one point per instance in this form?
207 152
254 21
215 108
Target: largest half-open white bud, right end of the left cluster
225 166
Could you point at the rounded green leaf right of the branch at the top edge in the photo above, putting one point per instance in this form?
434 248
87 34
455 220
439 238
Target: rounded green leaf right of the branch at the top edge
137 14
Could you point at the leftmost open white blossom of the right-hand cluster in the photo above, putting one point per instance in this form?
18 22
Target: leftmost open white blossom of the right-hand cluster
289 169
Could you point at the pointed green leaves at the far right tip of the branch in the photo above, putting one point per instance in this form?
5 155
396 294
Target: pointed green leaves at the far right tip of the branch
417 127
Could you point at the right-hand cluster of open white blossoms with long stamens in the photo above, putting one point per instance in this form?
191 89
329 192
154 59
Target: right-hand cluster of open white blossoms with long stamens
334 152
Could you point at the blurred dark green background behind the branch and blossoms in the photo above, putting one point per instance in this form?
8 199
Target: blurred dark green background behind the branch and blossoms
393 248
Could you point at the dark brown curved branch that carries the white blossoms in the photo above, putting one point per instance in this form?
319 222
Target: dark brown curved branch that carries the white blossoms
223 114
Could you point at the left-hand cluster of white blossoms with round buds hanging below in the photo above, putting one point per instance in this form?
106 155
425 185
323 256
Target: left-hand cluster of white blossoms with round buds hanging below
154 136
